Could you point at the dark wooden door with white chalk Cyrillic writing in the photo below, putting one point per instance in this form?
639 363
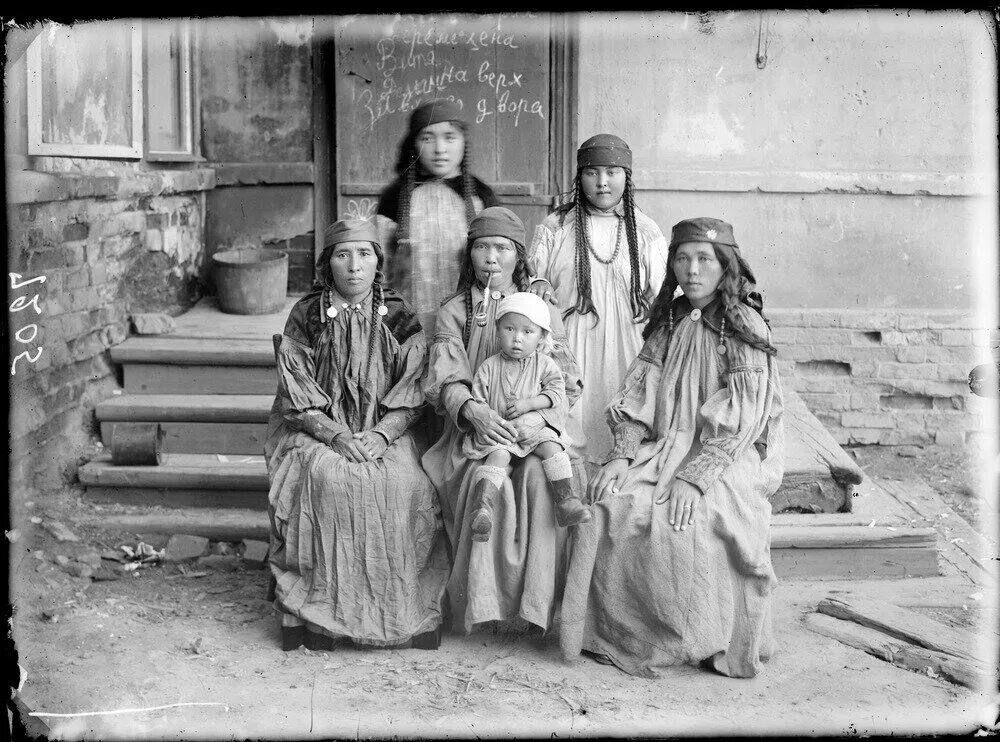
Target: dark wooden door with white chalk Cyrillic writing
507 71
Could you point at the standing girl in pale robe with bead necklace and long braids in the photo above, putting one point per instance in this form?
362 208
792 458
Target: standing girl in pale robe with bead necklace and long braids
604 260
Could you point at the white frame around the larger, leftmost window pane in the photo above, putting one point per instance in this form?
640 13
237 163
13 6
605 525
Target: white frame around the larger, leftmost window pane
132 151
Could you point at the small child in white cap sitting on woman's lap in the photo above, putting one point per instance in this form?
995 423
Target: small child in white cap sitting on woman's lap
525 386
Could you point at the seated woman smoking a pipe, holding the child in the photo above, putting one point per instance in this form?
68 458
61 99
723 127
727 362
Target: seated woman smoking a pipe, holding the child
518 570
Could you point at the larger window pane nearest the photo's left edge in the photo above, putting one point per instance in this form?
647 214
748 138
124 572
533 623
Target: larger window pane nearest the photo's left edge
87 84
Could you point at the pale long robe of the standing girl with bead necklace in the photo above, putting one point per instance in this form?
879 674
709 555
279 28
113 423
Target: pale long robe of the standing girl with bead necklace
605 345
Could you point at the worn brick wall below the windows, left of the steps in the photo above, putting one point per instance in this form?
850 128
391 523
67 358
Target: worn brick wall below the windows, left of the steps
107 248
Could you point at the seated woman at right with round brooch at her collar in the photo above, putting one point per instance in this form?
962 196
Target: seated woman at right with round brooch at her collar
675 568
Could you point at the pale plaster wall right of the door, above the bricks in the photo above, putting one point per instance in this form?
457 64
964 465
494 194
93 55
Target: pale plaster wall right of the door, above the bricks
849 106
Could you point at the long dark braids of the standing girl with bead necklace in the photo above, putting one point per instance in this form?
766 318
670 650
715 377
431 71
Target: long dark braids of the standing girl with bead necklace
584 297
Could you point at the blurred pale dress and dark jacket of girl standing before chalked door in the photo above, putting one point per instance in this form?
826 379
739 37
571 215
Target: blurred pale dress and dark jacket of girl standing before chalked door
425 268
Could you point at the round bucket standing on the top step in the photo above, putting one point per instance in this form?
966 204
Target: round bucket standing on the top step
251 281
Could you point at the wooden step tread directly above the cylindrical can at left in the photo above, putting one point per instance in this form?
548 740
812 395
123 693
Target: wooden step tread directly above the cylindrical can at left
234 408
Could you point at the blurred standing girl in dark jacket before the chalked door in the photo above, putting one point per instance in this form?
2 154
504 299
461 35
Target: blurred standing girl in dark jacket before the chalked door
431 204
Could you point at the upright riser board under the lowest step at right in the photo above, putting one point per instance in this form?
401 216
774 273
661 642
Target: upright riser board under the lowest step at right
854 564
